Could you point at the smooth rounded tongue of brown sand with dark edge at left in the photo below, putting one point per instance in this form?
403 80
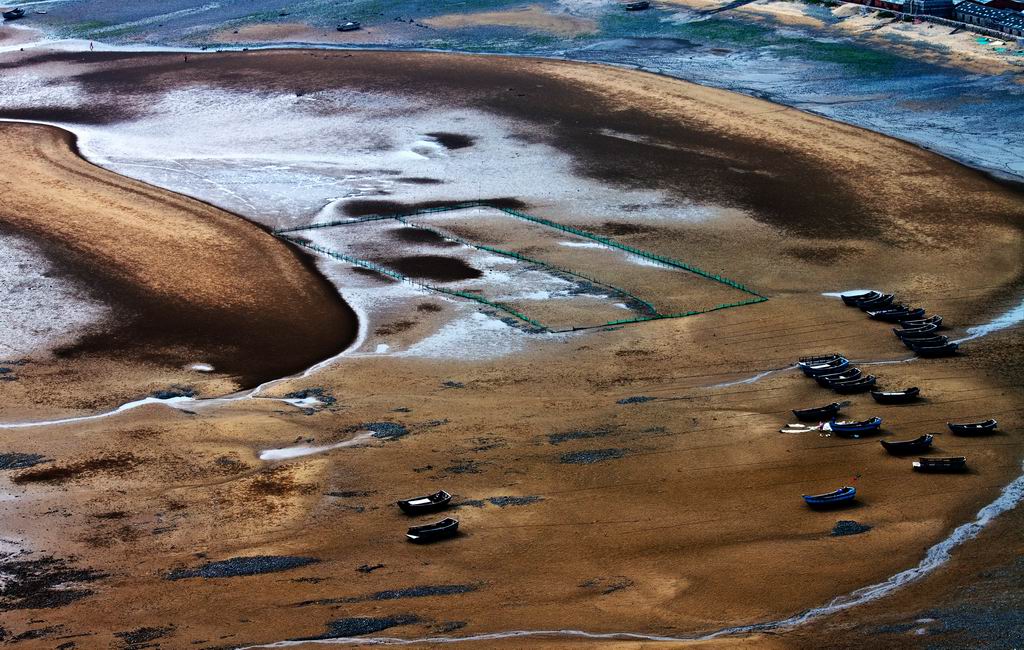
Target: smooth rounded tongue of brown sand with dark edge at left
181 275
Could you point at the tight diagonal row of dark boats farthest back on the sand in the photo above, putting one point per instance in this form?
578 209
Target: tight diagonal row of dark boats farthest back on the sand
917 332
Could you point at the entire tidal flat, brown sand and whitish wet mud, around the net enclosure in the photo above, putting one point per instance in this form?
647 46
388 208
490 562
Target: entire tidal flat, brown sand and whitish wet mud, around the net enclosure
614 481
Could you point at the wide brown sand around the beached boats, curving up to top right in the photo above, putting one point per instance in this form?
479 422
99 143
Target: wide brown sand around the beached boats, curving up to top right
690 516
